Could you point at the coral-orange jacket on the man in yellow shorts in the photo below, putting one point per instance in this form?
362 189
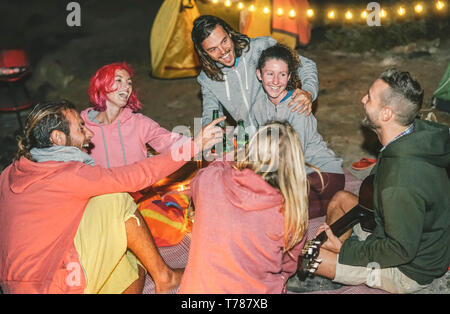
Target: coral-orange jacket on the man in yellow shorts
41 205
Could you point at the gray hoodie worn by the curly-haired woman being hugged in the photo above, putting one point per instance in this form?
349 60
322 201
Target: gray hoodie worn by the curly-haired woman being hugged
314 147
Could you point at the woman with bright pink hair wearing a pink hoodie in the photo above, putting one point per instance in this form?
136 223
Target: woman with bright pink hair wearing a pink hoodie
120 133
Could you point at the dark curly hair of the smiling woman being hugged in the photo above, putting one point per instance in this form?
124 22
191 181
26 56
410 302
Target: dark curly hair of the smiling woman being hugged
286 54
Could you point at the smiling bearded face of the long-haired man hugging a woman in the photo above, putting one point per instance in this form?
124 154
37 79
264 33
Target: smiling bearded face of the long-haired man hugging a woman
219 46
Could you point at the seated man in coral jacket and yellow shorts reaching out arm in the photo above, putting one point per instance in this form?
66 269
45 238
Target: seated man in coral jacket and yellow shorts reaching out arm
64 226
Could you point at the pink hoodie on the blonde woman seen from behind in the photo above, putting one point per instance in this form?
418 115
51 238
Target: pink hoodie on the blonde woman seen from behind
237 237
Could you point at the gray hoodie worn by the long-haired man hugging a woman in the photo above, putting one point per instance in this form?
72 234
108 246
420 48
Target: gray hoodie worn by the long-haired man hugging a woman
239 90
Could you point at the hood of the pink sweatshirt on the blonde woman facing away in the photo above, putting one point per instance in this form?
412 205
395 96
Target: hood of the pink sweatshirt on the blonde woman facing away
248 191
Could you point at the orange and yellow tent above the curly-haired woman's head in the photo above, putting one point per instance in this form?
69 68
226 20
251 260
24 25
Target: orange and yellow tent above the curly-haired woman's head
277 22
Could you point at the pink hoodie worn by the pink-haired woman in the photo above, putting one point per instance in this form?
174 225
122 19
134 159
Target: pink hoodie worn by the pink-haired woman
123 141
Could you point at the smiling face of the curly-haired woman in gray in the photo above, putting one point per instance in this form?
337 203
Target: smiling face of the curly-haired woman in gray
274 76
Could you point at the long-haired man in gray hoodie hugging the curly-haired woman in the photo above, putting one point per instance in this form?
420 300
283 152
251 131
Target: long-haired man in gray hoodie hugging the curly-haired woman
228 59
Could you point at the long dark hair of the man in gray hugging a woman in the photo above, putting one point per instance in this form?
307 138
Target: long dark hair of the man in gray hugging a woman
203 27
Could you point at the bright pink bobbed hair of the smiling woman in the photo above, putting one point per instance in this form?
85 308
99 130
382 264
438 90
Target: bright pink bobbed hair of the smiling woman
101 84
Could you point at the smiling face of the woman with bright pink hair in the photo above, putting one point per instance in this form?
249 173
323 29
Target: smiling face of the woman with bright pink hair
121 89
